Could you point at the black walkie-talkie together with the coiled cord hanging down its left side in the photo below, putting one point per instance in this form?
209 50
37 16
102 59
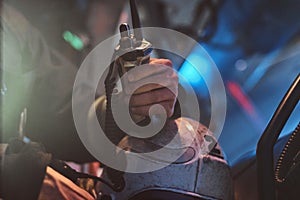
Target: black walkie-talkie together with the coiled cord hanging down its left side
132 51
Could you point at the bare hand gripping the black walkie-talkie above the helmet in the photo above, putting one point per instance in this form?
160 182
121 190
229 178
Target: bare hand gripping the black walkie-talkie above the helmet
157 71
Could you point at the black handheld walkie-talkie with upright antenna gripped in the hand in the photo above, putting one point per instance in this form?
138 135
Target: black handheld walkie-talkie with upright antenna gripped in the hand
131 51
